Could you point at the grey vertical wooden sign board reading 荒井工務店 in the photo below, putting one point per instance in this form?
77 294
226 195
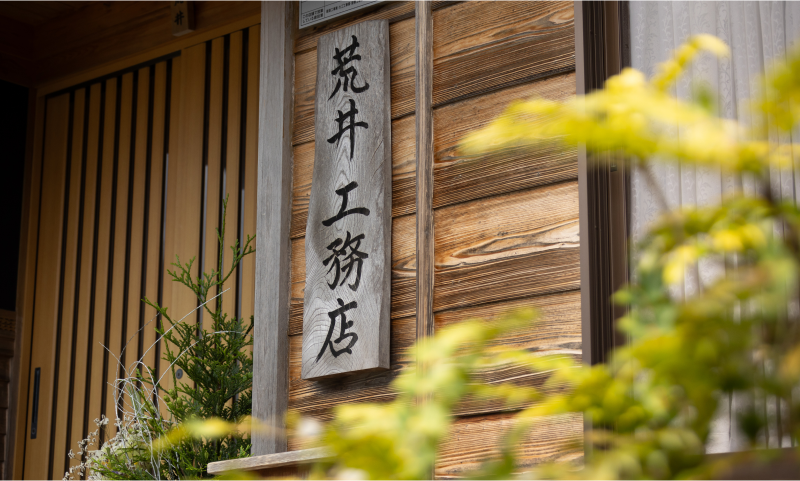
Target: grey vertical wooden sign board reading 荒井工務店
348 235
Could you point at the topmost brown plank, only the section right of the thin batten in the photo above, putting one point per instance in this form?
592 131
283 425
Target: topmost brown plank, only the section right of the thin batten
481 46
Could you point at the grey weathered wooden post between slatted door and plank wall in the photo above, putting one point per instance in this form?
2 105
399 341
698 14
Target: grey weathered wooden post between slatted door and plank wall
270 352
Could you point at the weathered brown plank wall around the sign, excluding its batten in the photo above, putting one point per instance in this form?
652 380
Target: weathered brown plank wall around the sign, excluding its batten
506 225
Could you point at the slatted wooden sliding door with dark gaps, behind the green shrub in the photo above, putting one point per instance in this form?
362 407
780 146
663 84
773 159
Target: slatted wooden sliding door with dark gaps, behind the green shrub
131 169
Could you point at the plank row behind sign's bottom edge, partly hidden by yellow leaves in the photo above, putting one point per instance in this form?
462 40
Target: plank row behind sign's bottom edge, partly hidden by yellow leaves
557 332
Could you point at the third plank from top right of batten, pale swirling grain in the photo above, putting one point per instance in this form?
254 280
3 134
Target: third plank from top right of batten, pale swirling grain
515 245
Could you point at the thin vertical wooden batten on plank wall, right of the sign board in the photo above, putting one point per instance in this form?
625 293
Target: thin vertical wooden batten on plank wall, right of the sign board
424 174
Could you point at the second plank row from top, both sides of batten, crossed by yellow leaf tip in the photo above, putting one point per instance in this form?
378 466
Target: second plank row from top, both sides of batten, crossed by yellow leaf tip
458 178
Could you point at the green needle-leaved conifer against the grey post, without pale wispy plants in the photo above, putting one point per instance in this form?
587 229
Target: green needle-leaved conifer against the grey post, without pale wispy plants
215 356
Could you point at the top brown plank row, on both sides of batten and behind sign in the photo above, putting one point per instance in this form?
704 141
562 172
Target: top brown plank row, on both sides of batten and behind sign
479 46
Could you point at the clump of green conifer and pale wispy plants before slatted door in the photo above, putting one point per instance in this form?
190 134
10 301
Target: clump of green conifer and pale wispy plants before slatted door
218 386
